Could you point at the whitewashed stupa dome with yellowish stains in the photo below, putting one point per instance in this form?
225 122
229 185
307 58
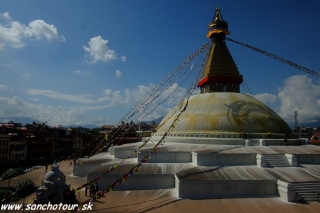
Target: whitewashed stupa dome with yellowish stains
224 112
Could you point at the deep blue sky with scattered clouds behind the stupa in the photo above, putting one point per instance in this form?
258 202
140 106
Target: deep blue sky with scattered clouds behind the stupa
80 62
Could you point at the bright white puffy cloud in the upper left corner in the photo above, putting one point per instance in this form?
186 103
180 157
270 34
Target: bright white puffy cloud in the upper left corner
12 33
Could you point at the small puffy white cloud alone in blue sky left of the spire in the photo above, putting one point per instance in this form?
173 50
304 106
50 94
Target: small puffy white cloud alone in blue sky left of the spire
99 51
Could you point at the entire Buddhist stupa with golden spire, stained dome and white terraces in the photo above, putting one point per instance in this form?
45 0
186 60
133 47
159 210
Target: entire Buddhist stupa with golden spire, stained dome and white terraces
225 144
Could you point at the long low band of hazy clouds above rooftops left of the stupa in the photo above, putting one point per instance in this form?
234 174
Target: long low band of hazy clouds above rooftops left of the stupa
60 115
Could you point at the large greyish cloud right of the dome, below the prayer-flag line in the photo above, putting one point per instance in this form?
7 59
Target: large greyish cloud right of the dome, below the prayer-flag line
300 93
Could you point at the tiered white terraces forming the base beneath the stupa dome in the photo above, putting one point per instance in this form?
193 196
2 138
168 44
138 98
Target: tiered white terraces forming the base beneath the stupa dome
199 171
